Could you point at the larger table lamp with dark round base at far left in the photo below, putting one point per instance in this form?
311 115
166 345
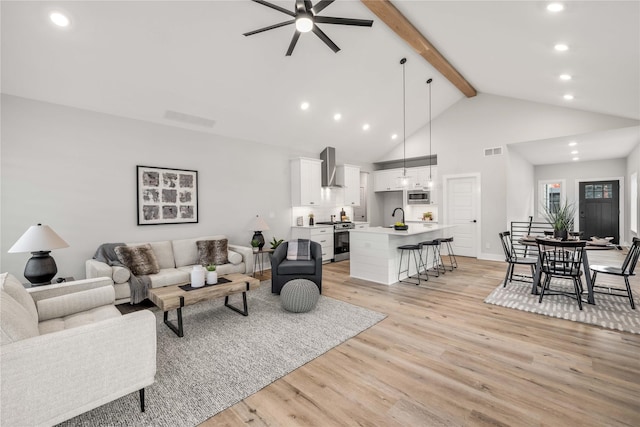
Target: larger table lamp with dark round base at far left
39 240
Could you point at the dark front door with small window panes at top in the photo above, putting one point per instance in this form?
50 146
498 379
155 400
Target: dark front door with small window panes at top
600 209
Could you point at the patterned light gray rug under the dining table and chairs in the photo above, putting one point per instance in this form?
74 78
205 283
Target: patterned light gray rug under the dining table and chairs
609 312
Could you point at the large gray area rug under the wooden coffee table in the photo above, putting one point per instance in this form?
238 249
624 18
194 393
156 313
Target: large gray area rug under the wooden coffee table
225 357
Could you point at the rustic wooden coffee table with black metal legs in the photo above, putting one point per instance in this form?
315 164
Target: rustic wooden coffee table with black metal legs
174 298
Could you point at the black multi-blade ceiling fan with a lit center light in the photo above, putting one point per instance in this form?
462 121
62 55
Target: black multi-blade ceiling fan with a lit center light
306 19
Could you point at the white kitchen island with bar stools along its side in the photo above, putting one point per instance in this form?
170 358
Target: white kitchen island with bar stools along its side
374 251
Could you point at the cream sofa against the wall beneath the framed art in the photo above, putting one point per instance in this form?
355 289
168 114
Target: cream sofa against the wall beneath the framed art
176 259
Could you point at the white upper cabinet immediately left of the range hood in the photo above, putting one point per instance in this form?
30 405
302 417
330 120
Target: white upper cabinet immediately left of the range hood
306 182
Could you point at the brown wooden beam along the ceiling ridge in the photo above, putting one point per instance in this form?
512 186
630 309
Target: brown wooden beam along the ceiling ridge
395 20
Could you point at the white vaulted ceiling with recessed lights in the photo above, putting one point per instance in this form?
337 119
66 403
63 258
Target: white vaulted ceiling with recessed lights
186 63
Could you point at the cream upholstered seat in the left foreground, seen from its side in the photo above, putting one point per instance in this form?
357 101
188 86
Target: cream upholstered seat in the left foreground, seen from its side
66 349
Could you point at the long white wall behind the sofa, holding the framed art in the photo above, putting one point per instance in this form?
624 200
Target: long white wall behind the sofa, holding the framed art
75 171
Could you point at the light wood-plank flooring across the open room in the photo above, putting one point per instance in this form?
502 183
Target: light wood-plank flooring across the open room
443 357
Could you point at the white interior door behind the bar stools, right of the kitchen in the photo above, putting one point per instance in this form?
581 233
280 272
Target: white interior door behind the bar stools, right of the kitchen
462 209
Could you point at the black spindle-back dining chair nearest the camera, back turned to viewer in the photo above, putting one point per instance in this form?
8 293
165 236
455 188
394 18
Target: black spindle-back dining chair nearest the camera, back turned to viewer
562 260
